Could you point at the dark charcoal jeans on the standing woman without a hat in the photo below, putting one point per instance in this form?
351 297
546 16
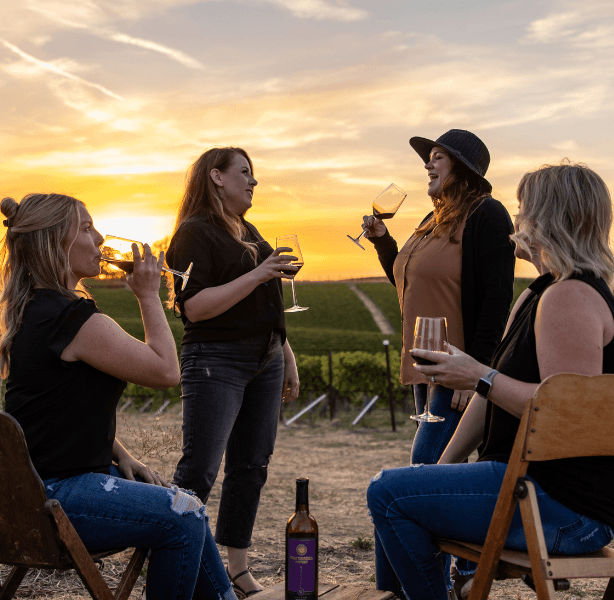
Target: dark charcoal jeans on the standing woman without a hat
231 393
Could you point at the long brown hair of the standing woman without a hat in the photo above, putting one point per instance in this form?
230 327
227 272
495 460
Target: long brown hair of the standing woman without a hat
202 196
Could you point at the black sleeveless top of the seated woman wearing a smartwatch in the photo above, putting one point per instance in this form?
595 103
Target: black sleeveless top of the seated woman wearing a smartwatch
584 484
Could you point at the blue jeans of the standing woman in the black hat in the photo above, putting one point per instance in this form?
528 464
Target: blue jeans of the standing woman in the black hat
431 440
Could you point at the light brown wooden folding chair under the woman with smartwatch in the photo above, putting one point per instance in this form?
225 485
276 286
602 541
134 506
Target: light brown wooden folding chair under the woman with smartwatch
570 415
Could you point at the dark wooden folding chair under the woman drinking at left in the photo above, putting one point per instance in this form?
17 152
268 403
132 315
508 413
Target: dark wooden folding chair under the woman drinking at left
36 533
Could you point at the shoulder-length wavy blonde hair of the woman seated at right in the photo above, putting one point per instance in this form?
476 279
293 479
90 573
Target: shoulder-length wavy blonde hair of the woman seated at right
566 212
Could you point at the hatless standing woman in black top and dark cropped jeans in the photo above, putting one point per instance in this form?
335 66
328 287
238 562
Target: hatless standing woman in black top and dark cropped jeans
236 364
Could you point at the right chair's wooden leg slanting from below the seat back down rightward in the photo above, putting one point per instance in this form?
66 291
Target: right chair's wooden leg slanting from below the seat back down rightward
536 543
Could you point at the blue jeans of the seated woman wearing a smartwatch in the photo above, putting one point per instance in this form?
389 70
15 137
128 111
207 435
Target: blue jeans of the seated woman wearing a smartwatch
410 505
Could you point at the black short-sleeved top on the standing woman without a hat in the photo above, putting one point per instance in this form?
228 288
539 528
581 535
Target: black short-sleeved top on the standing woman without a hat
219 259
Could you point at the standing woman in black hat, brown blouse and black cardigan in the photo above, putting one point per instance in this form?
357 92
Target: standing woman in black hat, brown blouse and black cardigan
458 264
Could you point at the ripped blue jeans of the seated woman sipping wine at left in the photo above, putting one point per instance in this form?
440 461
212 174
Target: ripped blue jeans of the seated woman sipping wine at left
111 512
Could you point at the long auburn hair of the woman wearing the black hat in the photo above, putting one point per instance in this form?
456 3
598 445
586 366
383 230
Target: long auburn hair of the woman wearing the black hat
461 191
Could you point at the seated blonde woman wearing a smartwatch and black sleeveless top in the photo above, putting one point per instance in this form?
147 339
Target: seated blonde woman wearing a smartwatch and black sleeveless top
563 323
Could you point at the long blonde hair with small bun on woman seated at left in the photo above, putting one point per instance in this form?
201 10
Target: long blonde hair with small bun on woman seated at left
32 256
